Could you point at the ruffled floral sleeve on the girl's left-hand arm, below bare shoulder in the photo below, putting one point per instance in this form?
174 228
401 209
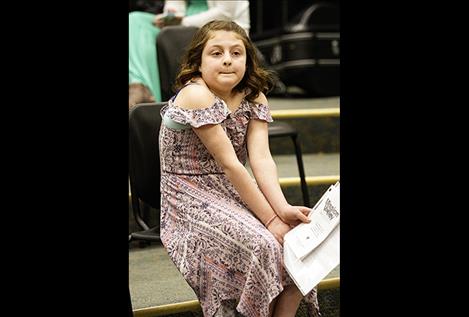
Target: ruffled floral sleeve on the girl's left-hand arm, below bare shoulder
214 114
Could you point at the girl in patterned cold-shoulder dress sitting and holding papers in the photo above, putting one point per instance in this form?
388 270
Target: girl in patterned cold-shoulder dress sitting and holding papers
223 231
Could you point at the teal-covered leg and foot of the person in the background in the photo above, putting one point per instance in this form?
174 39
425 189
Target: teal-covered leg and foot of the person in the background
144 81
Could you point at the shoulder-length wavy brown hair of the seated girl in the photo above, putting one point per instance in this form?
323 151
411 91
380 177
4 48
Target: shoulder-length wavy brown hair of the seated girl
256 78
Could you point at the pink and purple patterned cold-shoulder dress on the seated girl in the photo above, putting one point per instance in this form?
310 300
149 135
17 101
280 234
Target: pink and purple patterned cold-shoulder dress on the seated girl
223 251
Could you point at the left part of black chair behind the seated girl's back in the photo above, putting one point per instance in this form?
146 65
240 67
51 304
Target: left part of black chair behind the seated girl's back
144 167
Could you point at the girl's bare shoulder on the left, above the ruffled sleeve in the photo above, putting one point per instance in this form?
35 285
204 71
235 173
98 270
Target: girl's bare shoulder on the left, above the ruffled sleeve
195 96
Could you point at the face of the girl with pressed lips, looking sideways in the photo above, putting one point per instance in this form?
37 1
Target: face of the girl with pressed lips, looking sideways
223 60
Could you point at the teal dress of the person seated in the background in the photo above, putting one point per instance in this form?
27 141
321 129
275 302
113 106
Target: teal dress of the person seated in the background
143 64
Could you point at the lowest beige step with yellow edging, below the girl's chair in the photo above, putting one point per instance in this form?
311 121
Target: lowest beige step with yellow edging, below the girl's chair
158 288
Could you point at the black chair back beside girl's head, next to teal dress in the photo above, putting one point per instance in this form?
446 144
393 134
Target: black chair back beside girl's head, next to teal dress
171 44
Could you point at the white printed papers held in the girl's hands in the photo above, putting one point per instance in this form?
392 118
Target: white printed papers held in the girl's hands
311 251
